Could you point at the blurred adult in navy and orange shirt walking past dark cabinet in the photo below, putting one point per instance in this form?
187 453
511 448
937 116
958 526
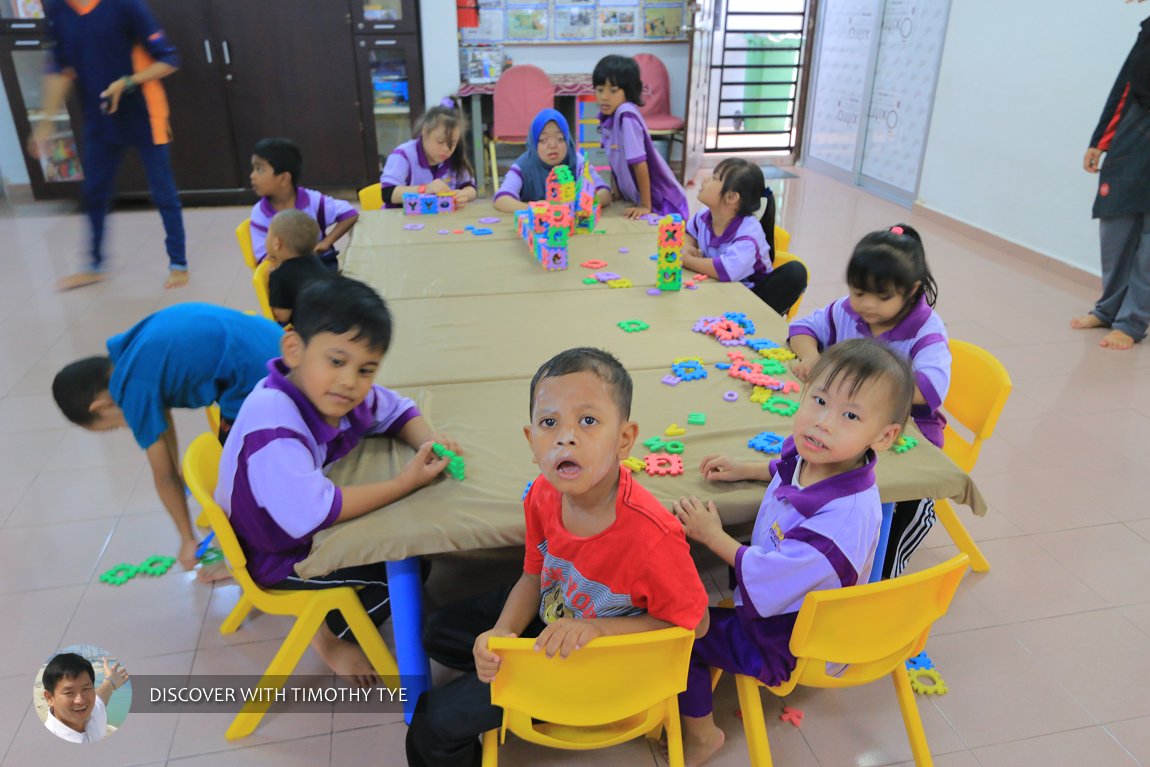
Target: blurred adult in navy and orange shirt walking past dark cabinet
117 53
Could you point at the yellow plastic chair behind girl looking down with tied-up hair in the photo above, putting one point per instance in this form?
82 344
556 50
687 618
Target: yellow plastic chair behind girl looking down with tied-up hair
979 388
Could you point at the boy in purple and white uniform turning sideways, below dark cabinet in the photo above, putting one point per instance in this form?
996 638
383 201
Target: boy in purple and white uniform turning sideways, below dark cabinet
277 166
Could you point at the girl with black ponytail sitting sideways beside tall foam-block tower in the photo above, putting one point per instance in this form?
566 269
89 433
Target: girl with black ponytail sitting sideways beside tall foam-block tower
725 241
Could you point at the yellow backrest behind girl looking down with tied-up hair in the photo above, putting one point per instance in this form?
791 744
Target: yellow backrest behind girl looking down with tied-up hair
979 388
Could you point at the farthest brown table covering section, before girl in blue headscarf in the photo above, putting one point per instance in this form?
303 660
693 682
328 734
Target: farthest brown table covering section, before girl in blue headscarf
386 227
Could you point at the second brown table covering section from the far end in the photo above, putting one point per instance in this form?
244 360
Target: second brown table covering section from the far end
486 267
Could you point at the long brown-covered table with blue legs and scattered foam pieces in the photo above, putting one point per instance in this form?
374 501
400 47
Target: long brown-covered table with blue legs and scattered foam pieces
467 343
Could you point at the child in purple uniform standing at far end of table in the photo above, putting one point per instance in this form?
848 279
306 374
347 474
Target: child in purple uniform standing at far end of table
641 175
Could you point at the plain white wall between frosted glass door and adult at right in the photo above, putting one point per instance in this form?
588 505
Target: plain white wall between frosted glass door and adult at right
1021 90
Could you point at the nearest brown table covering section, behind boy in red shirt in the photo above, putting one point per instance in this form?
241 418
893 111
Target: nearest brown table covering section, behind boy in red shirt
486 510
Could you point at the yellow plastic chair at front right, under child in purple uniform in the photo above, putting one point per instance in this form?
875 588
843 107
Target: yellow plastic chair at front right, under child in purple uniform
875 630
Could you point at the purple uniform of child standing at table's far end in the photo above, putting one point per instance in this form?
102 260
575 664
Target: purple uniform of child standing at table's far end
626 139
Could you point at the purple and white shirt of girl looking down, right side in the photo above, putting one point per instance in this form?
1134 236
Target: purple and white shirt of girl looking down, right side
921 338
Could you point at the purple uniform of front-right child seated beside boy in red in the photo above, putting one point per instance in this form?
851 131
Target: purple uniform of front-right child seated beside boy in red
822 536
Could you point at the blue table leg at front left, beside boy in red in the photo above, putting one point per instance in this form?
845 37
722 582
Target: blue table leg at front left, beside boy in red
405 584
